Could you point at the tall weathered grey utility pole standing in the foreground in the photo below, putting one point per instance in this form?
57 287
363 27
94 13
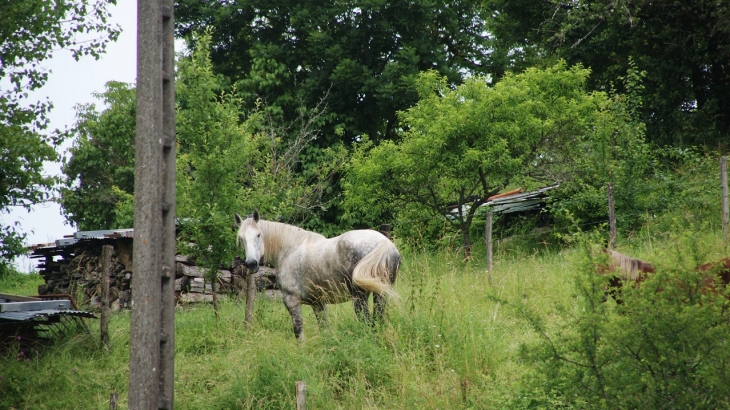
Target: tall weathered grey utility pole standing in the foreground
152 330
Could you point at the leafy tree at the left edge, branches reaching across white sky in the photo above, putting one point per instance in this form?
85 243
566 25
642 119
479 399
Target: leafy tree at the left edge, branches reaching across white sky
30 30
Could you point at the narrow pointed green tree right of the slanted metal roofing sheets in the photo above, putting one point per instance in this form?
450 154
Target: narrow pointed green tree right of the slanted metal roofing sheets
619 155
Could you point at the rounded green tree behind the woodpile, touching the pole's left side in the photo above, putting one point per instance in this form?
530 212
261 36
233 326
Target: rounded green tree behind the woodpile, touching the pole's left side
99 175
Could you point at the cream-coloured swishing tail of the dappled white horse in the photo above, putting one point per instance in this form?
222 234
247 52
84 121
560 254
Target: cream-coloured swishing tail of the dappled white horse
376 272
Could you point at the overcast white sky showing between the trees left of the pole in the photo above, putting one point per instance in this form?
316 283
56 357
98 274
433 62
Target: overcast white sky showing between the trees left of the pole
71 83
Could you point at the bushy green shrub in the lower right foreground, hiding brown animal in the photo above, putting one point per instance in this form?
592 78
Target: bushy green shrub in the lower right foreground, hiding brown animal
663 347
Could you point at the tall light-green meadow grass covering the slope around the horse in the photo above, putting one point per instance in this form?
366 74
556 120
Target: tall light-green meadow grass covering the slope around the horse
446 344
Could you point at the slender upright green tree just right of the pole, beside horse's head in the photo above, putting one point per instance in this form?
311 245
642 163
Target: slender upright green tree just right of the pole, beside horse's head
217 160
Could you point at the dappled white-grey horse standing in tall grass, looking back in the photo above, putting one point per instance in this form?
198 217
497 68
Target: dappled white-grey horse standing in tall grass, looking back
314 270
